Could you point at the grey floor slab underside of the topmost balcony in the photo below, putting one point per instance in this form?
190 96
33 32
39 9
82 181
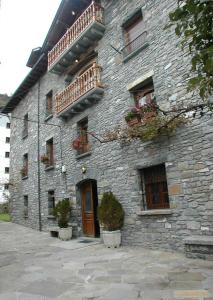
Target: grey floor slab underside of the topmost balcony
86 39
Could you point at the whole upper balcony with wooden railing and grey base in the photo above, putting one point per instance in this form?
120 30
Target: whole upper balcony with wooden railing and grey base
85 32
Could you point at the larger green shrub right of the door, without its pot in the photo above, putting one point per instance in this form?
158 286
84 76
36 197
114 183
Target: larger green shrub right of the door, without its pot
110 212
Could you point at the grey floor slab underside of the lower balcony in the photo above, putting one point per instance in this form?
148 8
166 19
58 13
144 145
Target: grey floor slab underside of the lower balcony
85 101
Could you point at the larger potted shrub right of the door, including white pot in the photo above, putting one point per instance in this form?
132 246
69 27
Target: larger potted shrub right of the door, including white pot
111 218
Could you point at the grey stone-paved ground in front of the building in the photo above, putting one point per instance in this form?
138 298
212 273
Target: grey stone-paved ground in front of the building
34 266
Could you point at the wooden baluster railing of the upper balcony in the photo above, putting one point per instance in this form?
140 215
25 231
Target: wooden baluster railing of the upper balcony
93 13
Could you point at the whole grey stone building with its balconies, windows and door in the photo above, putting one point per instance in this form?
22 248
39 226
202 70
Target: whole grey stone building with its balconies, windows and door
95 62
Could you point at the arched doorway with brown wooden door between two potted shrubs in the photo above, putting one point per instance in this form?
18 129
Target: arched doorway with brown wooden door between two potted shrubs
89 204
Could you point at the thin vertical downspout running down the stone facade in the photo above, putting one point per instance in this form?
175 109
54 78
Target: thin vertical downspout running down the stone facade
39 173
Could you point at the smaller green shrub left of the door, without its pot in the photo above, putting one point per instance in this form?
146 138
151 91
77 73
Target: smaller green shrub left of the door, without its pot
62 212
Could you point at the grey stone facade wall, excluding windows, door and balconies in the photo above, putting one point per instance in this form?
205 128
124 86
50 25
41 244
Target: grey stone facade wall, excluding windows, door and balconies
116 167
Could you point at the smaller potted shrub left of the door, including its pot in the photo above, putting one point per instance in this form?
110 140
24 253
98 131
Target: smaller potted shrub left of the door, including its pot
62 213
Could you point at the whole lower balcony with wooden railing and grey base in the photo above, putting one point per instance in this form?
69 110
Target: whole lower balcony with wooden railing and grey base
80 94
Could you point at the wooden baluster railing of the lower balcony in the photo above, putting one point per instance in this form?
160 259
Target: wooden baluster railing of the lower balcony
87 82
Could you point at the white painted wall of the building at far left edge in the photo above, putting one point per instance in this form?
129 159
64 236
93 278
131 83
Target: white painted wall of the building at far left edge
4 162
